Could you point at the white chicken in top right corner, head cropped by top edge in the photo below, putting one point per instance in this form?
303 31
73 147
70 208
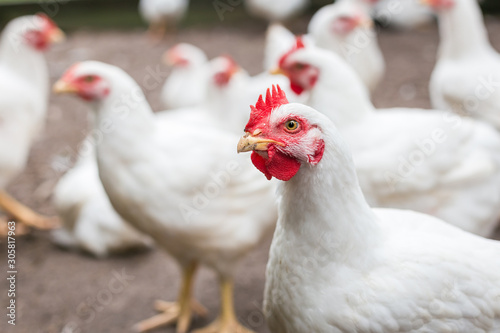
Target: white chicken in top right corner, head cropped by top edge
465 78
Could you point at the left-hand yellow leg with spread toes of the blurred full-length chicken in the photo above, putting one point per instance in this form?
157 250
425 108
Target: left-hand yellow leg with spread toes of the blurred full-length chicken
180 311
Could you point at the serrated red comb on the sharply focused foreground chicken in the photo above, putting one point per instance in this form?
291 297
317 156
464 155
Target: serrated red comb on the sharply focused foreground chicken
262 110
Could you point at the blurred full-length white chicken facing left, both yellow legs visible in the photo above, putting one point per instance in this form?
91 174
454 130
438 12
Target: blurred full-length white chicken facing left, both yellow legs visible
184 185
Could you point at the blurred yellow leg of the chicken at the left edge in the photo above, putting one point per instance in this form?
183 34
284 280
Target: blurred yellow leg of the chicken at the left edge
24 214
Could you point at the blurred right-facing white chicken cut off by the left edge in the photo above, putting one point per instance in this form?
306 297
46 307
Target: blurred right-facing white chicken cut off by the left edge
24 83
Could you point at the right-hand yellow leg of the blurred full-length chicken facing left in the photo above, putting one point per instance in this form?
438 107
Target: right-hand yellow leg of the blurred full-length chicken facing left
227 321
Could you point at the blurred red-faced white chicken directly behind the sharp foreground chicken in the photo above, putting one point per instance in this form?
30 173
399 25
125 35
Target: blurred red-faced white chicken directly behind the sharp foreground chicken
434 162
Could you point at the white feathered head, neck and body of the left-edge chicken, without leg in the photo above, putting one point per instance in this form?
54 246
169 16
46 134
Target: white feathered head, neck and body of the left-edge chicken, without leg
24 82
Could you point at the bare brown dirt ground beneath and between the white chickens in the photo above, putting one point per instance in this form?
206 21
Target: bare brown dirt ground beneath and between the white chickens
57 291
